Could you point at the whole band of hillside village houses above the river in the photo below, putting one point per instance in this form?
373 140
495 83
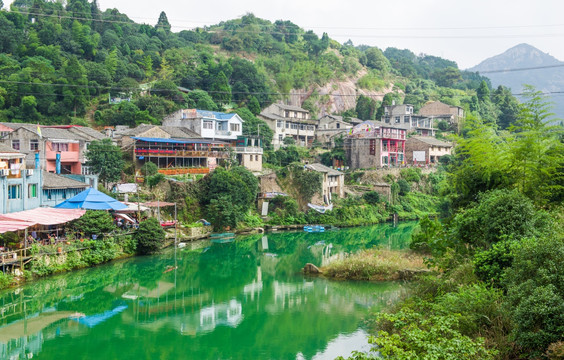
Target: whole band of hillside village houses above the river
192 141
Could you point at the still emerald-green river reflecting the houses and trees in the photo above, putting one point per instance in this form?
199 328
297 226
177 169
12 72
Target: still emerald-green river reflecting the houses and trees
240 300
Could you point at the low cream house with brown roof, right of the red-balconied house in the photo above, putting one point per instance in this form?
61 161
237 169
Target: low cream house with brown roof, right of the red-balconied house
425 150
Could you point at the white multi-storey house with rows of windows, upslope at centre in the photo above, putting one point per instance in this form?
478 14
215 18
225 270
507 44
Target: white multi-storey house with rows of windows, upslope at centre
289 121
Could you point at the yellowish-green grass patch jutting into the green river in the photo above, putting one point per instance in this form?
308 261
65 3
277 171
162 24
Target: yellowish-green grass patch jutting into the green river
375 264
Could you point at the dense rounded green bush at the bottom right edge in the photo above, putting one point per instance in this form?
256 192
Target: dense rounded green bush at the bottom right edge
535 293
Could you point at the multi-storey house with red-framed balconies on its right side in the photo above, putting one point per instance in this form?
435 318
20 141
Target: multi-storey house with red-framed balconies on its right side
374 144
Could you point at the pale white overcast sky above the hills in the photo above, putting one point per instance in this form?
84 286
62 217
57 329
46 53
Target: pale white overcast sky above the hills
466 31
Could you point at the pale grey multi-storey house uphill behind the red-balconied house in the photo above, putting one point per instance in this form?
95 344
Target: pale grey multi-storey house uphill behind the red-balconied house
403 116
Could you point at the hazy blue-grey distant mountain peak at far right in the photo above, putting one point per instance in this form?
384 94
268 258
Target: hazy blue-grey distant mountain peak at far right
525 56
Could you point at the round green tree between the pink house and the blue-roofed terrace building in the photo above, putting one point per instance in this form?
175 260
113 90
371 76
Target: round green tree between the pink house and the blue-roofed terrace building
105 159
